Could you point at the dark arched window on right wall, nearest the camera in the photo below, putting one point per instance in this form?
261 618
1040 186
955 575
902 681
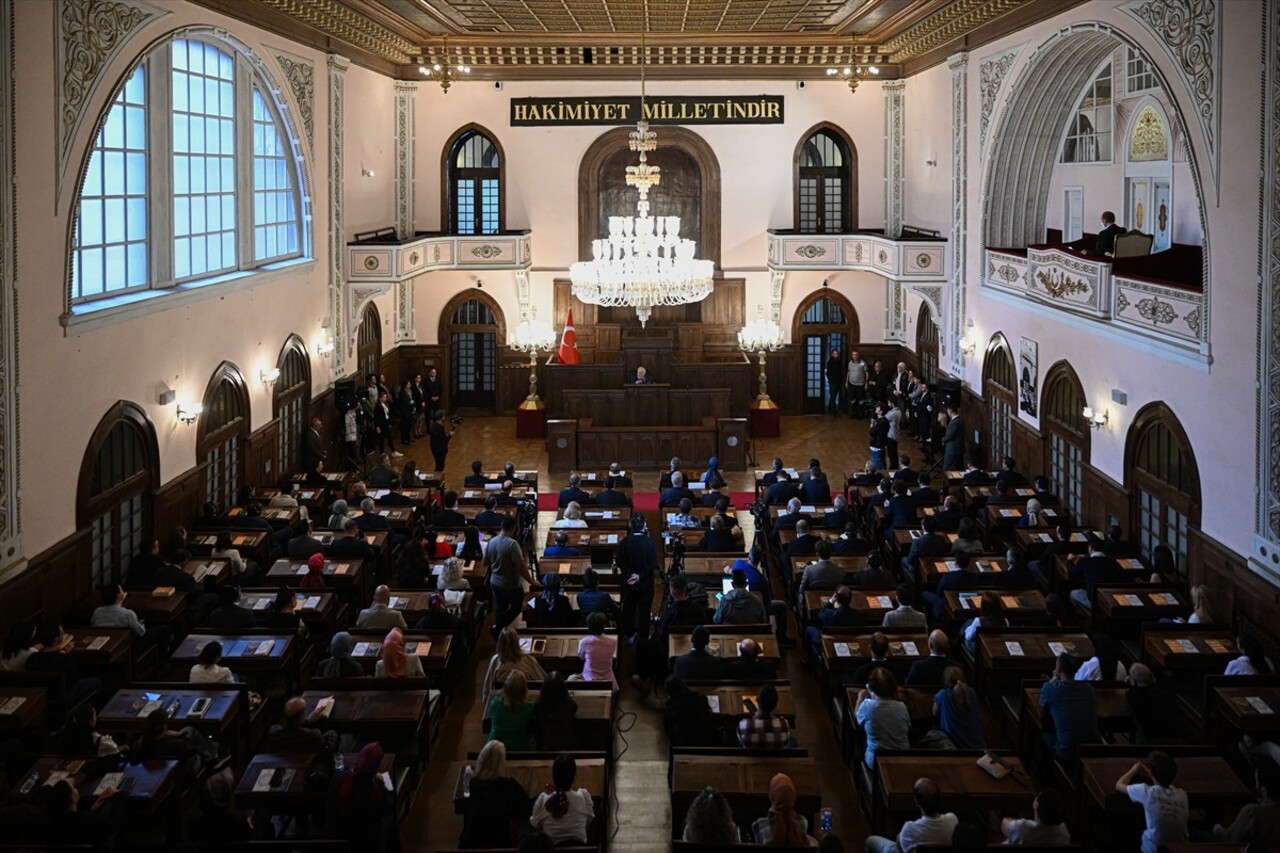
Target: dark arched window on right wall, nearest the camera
1164 482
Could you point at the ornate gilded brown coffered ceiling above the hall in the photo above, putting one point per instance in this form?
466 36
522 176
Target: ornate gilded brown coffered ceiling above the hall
687 39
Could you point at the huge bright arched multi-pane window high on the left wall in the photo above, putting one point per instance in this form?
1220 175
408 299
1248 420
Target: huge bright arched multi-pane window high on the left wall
194 174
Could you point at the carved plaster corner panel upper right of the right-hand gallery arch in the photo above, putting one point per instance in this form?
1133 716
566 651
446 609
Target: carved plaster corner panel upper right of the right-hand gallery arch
1190 31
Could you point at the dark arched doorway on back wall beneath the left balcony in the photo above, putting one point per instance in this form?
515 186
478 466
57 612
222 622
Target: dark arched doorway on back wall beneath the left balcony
474 327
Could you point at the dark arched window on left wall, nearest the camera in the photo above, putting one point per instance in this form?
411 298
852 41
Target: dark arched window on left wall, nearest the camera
120 473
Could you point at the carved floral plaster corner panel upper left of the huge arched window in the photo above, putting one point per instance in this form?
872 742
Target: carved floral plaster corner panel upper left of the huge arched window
88 37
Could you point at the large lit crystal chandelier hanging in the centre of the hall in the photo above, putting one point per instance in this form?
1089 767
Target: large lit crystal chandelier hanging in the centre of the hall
644 262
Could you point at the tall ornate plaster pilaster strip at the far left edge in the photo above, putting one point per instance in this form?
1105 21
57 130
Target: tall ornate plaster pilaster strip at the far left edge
12 558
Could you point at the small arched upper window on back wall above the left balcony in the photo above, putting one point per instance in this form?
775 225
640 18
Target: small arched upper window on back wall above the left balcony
474 181
